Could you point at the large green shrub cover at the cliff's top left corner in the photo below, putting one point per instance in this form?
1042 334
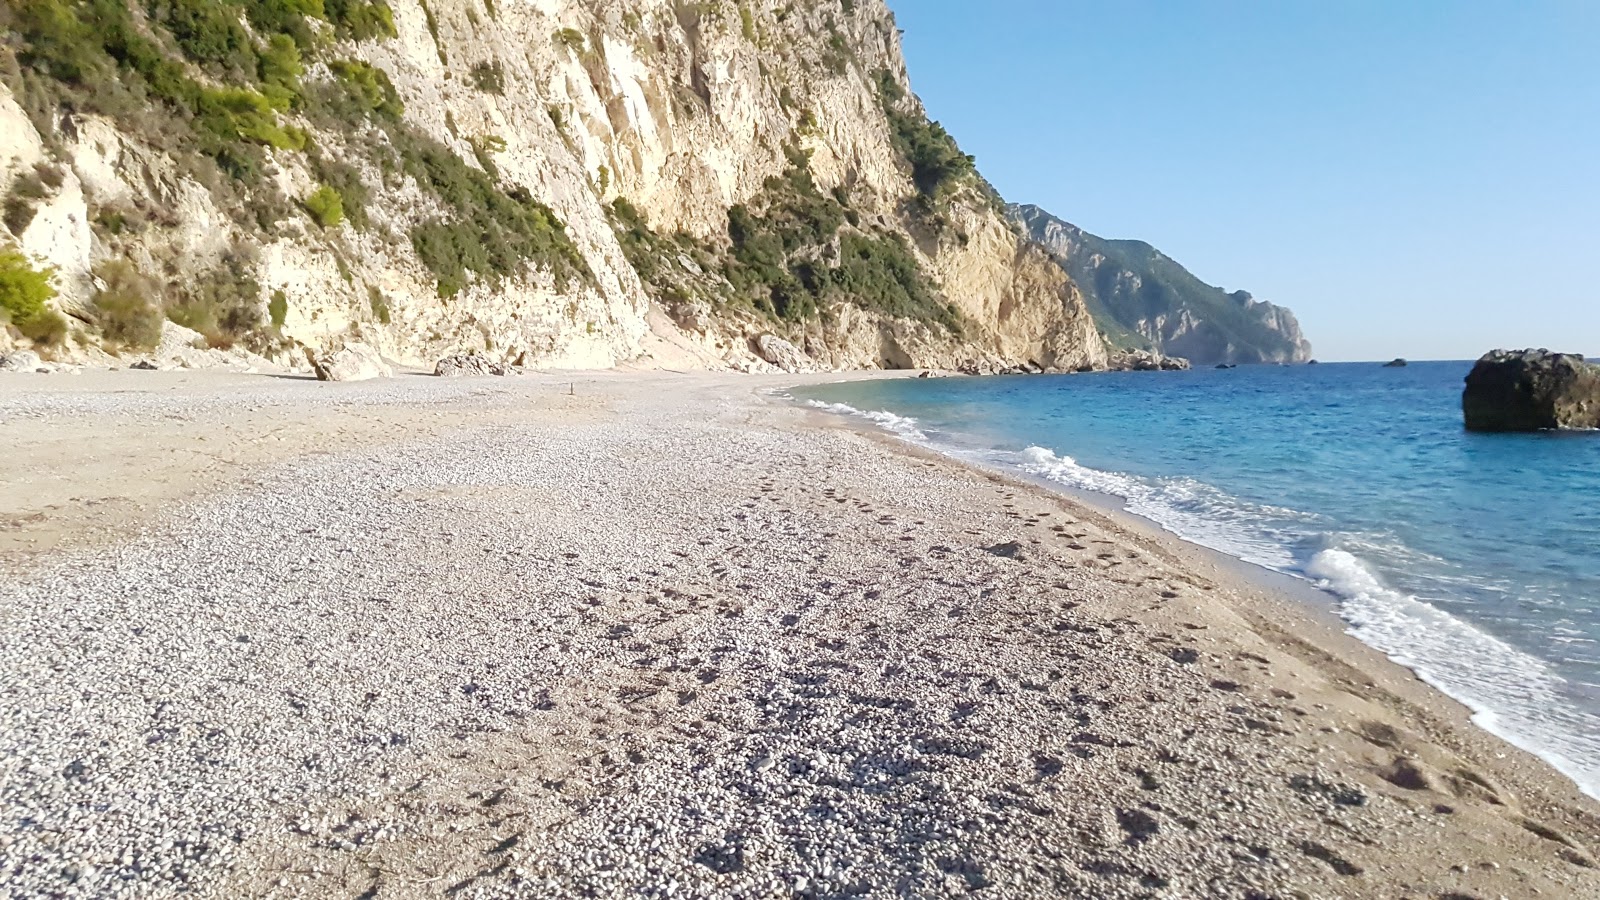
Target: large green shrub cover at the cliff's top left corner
142 71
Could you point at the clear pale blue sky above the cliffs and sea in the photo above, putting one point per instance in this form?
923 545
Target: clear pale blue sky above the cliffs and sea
1414 179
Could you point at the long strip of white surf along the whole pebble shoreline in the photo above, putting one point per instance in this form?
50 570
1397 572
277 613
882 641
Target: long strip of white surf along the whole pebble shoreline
1511 694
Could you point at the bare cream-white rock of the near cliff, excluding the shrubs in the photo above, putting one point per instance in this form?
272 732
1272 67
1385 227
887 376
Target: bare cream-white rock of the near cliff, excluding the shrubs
681 108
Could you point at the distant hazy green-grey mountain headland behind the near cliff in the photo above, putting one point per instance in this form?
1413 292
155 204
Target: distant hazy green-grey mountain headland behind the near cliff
1145 300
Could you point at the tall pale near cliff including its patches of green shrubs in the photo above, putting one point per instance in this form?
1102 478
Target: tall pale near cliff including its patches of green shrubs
558 183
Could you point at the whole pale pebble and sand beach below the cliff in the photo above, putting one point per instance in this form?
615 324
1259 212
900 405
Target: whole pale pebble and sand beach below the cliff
662 637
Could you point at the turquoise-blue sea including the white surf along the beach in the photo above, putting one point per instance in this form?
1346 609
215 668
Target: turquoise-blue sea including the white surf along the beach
1473 560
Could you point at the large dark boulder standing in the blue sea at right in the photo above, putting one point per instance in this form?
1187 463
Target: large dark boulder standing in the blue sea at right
1532 392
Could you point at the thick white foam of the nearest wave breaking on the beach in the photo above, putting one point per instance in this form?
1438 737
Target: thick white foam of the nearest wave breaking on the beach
1511 694
